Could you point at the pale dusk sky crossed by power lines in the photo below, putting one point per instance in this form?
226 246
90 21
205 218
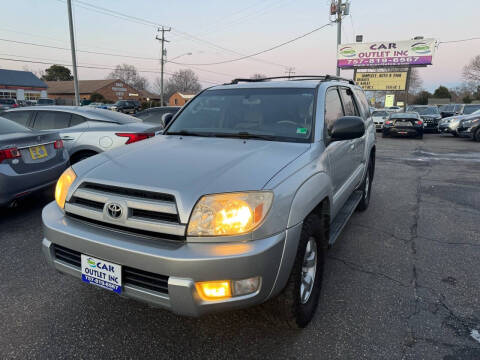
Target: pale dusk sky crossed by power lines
218 30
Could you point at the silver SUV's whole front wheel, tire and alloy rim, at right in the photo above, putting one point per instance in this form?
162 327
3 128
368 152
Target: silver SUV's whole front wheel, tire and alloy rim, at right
297 303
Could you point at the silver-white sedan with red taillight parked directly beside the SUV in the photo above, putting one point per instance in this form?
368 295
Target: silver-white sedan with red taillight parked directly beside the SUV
85 131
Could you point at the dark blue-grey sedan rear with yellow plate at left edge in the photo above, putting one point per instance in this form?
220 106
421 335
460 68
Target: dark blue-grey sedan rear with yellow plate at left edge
29 160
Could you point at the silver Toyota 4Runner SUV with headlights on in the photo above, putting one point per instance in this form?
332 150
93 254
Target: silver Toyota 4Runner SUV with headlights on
234 205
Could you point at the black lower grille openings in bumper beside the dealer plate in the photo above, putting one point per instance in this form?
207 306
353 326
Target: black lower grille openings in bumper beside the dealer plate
130 276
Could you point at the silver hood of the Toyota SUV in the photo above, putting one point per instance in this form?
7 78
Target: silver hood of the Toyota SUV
189 167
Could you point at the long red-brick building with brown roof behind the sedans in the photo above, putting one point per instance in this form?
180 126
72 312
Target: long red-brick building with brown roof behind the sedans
111 89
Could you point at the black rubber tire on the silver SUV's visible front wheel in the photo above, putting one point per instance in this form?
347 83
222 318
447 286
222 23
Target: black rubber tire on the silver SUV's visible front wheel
288 306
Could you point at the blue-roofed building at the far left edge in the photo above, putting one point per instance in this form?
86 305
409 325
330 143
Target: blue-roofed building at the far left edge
21 85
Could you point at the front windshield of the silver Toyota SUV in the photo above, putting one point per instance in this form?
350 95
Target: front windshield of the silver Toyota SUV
279 114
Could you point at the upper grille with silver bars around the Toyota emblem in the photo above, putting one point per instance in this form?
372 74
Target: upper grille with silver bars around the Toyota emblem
144 213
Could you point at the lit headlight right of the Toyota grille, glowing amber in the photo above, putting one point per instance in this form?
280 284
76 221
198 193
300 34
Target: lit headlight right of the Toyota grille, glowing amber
229 213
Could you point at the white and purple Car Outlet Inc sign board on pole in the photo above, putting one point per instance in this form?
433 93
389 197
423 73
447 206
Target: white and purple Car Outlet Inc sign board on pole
398 53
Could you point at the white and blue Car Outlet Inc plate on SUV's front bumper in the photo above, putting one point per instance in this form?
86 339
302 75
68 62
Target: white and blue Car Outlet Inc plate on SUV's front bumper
102 273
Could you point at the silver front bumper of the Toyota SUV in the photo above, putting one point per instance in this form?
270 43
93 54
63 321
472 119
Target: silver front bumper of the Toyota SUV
183 263
